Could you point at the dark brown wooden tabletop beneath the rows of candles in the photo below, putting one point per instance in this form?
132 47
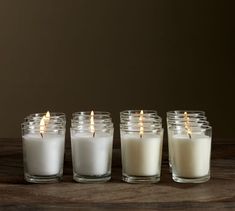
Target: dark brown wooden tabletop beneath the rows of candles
217 194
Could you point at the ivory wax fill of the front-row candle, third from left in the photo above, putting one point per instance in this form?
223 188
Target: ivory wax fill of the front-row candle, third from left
141 156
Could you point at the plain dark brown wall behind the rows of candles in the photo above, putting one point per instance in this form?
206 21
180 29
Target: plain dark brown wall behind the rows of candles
116 54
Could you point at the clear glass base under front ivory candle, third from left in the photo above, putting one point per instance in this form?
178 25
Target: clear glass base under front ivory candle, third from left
140 179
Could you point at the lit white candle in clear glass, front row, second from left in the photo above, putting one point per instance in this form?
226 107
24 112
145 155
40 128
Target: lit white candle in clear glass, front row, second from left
91 143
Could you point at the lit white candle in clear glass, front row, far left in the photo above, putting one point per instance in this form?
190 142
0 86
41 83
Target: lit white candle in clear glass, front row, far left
43 151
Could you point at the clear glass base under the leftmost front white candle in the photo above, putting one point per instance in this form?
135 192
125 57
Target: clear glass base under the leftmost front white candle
42 179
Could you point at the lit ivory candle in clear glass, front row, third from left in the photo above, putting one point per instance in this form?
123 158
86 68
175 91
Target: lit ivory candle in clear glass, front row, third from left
141 149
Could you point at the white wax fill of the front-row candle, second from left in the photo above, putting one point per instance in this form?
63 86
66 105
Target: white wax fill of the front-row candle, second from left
91 155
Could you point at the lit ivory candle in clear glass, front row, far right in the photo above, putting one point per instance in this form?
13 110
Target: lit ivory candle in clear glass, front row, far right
191 152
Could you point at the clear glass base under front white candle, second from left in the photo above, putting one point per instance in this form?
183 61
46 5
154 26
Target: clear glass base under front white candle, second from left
91 179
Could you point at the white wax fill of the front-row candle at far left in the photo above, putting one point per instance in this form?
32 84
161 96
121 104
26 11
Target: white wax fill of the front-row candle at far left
43 156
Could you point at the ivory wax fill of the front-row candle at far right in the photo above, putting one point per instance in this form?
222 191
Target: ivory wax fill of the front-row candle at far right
191 156
